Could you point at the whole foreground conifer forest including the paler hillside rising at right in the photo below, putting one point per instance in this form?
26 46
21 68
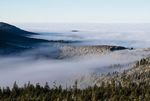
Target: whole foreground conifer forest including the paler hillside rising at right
131 85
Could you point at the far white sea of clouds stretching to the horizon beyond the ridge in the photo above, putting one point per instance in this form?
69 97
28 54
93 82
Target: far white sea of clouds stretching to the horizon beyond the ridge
129 35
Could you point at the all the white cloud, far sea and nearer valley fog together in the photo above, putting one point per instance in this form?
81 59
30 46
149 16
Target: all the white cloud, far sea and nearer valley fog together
29 66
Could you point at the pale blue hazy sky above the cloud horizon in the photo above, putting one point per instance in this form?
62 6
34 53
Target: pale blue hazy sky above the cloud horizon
91 11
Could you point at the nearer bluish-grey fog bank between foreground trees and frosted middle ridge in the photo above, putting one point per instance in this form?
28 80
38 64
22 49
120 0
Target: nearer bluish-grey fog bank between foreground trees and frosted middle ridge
64 71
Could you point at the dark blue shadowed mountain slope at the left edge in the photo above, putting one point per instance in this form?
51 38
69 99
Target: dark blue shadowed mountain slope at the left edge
13 39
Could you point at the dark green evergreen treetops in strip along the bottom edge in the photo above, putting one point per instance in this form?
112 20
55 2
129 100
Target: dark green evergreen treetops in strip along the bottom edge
105 92
